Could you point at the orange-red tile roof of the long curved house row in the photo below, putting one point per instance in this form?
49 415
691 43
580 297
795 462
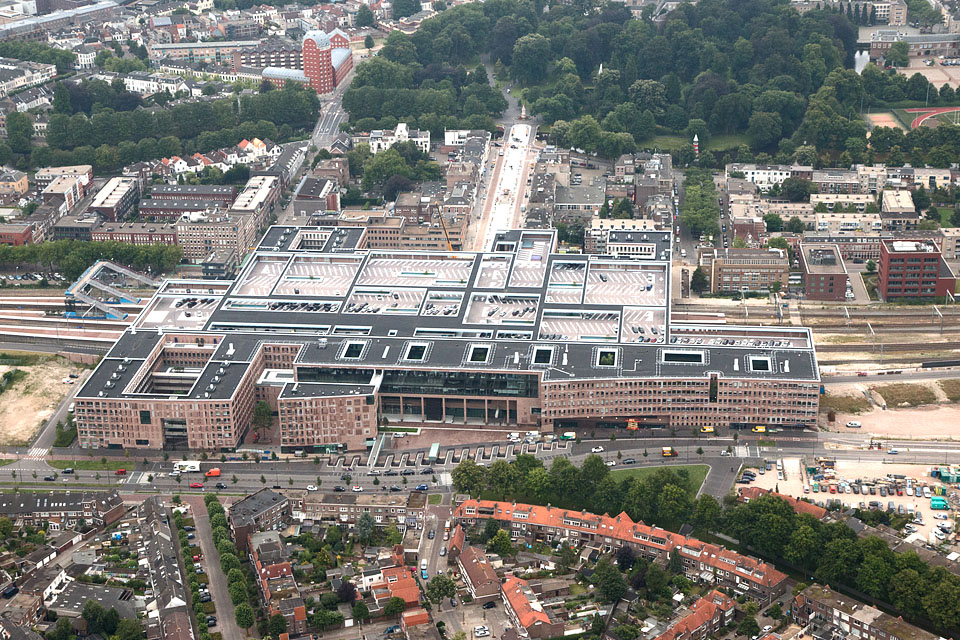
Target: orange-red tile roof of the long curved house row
621 527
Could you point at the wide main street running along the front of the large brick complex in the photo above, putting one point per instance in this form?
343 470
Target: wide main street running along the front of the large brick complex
351 471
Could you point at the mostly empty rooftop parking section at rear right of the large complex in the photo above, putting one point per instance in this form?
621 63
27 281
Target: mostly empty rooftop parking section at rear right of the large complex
636 285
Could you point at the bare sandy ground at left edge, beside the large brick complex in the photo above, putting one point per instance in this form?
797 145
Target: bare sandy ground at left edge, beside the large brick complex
26 405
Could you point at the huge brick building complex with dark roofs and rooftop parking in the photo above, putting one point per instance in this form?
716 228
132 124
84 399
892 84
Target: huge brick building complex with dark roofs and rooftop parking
339 339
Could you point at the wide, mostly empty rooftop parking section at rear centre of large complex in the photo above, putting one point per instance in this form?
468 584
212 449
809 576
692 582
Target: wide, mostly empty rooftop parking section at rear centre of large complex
443 270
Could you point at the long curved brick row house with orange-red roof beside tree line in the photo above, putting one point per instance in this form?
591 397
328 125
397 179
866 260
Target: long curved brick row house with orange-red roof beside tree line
702 561
